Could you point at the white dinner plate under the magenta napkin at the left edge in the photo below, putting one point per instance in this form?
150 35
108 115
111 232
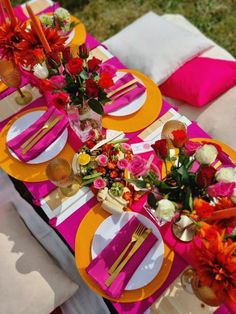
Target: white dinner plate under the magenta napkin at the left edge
23 123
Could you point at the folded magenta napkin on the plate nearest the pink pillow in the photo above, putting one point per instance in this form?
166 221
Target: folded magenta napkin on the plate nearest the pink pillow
126 98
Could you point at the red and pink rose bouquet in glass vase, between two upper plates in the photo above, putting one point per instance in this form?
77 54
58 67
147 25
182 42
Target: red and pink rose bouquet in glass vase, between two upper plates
78 85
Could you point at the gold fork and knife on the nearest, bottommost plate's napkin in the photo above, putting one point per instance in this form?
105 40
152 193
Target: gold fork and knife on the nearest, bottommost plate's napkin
138 237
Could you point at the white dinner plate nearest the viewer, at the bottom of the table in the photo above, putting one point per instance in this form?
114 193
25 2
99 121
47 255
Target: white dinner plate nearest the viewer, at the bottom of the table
152 262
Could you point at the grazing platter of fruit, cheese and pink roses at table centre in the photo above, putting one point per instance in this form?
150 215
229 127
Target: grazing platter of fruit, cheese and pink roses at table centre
114 174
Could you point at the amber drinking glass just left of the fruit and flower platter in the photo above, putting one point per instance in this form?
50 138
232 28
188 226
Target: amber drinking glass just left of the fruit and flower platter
60 173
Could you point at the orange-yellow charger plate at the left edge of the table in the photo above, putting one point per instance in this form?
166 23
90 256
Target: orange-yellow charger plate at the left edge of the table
20 170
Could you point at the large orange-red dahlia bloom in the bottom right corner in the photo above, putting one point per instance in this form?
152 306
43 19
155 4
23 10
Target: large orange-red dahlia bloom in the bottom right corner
214 252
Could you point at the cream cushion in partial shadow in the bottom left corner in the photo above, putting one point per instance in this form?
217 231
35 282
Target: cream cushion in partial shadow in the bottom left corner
30 281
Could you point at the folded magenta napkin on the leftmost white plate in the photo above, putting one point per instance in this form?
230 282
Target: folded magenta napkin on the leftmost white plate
15 143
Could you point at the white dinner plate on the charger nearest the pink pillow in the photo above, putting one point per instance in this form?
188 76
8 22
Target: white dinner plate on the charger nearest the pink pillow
133 106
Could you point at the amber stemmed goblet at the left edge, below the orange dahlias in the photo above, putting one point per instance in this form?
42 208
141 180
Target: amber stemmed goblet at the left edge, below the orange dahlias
11 76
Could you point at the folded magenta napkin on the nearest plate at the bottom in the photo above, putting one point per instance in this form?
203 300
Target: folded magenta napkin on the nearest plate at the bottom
98 268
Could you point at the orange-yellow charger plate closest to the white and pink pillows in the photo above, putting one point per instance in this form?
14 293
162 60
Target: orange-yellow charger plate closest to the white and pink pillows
143 117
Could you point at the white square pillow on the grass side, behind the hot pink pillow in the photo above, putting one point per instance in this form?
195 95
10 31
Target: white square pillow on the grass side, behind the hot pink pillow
155 46
